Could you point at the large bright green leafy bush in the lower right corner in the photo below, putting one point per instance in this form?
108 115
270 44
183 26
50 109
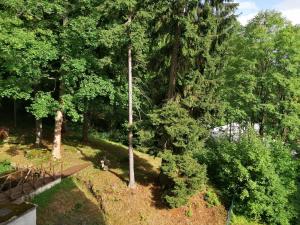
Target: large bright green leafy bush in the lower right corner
258 174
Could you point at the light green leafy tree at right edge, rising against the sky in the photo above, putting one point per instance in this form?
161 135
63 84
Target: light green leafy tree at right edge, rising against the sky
262 77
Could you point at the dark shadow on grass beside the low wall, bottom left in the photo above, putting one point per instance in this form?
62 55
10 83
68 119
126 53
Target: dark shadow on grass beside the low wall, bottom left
67 204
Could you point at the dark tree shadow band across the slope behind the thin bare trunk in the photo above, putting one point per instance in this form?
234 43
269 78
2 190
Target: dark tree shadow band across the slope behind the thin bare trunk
145 173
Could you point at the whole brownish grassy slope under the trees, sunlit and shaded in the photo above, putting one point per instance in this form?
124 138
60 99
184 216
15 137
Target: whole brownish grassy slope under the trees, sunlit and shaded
94 196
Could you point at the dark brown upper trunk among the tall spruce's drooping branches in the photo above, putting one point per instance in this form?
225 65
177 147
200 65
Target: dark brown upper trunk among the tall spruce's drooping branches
174 64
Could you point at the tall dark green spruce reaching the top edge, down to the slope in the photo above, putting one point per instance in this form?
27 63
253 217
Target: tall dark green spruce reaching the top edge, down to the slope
190 39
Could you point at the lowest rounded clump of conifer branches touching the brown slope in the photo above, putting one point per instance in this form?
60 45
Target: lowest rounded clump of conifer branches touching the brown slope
186 174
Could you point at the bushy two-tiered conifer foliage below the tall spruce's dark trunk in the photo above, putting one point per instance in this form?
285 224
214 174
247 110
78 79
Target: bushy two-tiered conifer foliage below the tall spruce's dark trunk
182 135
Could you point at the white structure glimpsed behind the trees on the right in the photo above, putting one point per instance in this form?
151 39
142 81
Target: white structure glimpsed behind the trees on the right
233 130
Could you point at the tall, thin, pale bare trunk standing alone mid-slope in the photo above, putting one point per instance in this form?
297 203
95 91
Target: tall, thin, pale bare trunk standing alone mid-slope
130 120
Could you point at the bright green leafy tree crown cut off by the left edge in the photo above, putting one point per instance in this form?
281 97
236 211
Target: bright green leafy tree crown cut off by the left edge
25 52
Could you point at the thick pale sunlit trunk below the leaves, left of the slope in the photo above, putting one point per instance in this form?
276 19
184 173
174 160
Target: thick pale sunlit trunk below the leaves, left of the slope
56 151
